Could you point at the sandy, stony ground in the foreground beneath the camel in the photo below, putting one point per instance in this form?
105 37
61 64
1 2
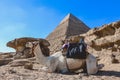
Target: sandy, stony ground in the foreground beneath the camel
109 72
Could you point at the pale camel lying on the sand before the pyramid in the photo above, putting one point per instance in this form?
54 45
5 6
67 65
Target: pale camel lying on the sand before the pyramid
57 62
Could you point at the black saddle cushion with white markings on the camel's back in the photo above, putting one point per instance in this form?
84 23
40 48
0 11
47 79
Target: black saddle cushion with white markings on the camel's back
77 51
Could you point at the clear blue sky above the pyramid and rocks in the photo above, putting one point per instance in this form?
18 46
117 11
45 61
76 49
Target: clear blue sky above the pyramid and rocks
38 18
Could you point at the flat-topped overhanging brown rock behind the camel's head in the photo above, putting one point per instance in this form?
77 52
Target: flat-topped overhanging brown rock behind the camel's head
19 45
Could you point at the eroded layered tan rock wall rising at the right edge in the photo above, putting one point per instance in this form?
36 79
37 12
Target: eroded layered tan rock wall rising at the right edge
104 41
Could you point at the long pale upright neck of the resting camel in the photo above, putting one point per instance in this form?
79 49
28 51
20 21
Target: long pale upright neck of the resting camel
39 56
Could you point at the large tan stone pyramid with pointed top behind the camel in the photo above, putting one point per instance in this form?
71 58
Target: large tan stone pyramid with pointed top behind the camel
69 26
